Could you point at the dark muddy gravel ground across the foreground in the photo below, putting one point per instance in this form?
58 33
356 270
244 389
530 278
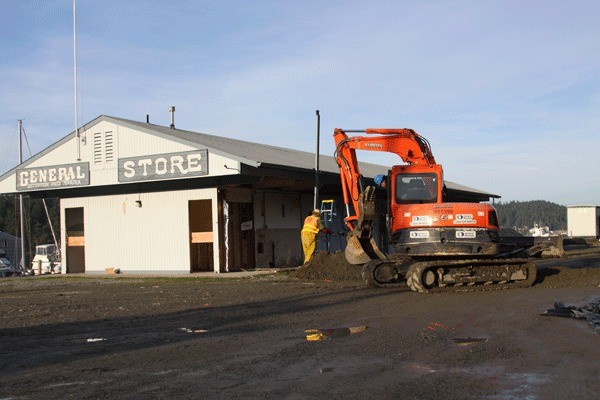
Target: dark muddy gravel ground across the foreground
182 337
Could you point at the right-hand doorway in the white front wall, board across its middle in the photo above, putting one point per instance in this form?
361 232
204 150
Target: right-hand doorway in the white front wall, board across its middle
201 235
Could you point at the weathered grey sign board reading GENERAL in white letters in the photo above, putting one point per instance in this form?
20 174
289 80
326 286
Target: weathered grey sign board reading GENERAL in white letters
53 177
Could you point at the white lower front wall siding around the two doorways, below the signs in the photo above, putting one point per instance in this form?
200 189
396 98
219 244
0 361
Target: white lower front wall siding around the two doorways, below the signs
153 238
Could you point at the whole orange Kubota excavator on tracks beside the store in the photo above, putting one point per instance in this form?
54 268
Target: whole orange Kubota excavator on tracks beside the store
435 245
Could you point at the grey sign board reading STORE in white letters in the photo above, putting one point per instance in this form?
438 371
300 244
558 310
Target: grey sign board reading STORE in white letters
164 166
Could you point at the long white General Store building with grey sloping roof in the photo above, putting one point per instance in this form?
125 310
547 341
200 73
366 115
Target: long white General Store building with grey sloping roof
147 198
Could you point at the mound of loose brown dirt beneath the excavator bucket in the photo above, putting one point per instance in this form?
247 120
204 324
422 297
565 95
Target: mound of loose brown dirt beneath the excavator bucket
328 266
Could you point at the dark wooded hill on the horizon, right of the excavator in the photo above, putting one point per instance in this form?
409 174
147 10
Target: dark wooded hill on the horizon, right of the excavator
523 215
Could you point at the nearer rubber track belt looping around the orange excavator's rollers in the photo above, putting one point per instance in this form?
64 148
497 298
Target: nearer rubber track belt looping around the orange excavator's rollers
415 272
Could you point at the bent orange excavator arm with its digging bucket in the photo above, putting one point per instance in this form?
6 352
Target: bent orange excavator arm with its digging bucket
407 144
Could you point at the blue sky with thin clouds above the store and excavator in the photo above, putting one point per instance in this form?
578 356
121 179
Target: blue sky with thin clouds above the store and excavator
506 92
